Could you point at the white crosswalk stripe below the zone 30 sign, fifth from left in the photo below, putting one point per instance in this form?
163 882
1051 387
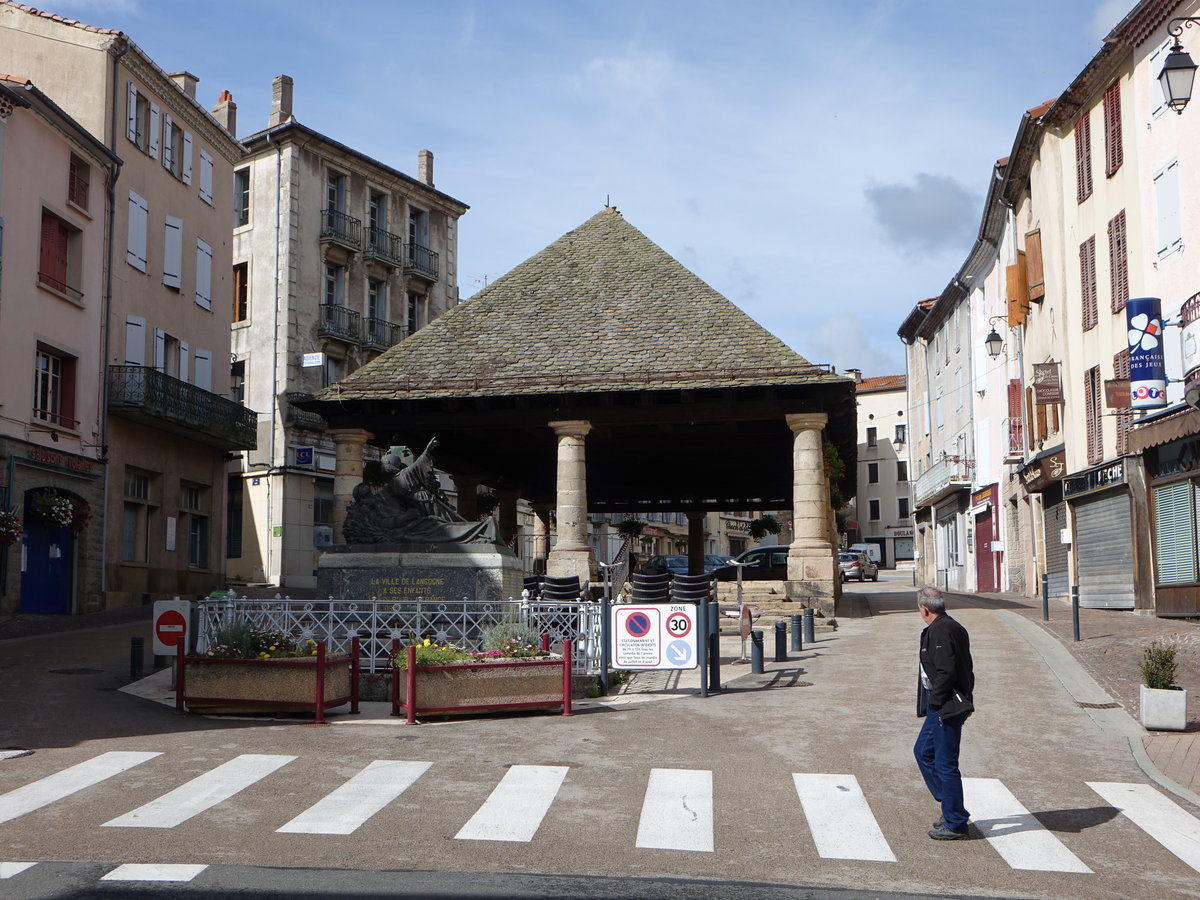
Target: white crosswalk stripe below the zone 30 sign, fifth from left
677 813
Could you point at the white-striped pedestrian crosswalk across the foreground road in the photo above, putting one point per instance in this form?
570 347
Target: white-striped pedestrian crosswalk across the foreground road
677 809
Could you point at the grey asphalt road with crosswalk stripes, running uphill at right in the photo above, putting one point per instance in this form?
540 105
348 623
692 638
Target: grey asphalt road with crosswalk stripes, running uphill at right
796 784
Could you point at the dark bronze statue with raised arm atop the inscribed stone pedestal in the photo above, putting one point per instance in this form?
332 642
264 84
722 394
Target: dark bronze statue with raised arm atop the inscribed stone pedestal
411 508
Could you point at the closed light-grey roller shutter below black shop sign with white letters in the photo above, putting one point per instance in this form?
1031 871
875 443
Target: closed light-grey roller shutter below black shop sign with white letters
1105 544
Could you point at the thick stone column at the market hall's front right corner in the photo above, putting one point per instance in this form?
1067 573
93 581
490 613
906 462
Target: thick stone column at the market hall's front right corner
813 575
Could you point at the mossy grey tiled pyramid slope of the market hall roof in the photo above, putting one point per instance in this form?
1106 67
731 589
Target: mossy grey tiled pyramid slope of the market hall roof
602 309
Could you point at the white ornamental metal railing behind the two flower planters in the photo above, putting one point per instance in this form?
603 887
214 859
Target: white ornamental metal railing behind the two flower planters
377 622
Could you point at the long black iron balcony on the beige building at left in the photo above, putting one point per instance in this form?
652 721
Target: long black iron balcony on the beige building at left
158 400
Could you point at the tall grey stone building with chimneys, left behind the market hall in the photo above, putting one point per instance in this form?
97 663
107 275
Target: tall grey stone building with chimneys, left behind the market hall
337 257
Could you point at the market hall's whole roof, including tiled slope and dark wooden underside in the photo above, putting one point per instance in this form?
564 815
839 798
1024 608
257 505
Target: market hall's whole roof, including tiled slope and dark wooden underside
687 395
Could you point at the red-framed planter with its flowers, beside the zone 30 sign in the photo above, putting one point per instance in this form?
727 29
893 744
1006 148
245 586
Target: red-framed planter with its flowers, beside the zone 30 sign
512 673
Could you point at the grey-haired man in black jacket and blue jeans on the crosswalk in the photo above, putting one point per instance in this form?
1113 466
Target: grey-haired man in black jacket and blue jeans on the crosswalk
946 681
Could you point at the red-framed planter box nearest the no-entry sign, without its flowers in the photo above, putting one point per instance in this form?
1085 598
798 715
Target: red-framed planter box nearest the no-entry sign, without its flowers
207 685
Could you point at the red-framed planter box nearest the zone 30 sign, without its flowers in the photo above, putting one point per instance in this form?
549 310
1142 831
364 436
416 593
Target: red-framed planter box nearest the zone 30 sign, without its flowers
491 687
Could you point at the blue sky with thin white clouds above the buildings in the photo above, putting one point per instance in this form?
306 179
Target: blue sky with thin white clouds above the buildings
823 164
